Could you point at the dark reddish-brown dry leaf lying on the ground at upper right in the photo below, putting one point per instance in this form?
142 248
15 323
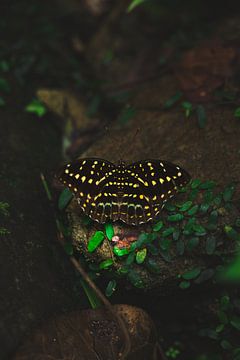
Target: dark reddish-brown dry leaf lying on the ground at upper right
204 69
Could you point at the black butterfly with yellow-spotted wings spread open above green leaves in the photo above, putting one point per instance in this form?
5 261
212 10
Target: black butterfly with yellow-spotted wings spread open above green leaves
133 193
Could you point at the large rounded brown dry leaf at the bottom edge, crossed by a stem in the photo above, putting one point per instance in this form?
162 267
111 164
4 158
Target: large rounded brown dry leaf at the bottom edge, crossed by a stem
94 335
